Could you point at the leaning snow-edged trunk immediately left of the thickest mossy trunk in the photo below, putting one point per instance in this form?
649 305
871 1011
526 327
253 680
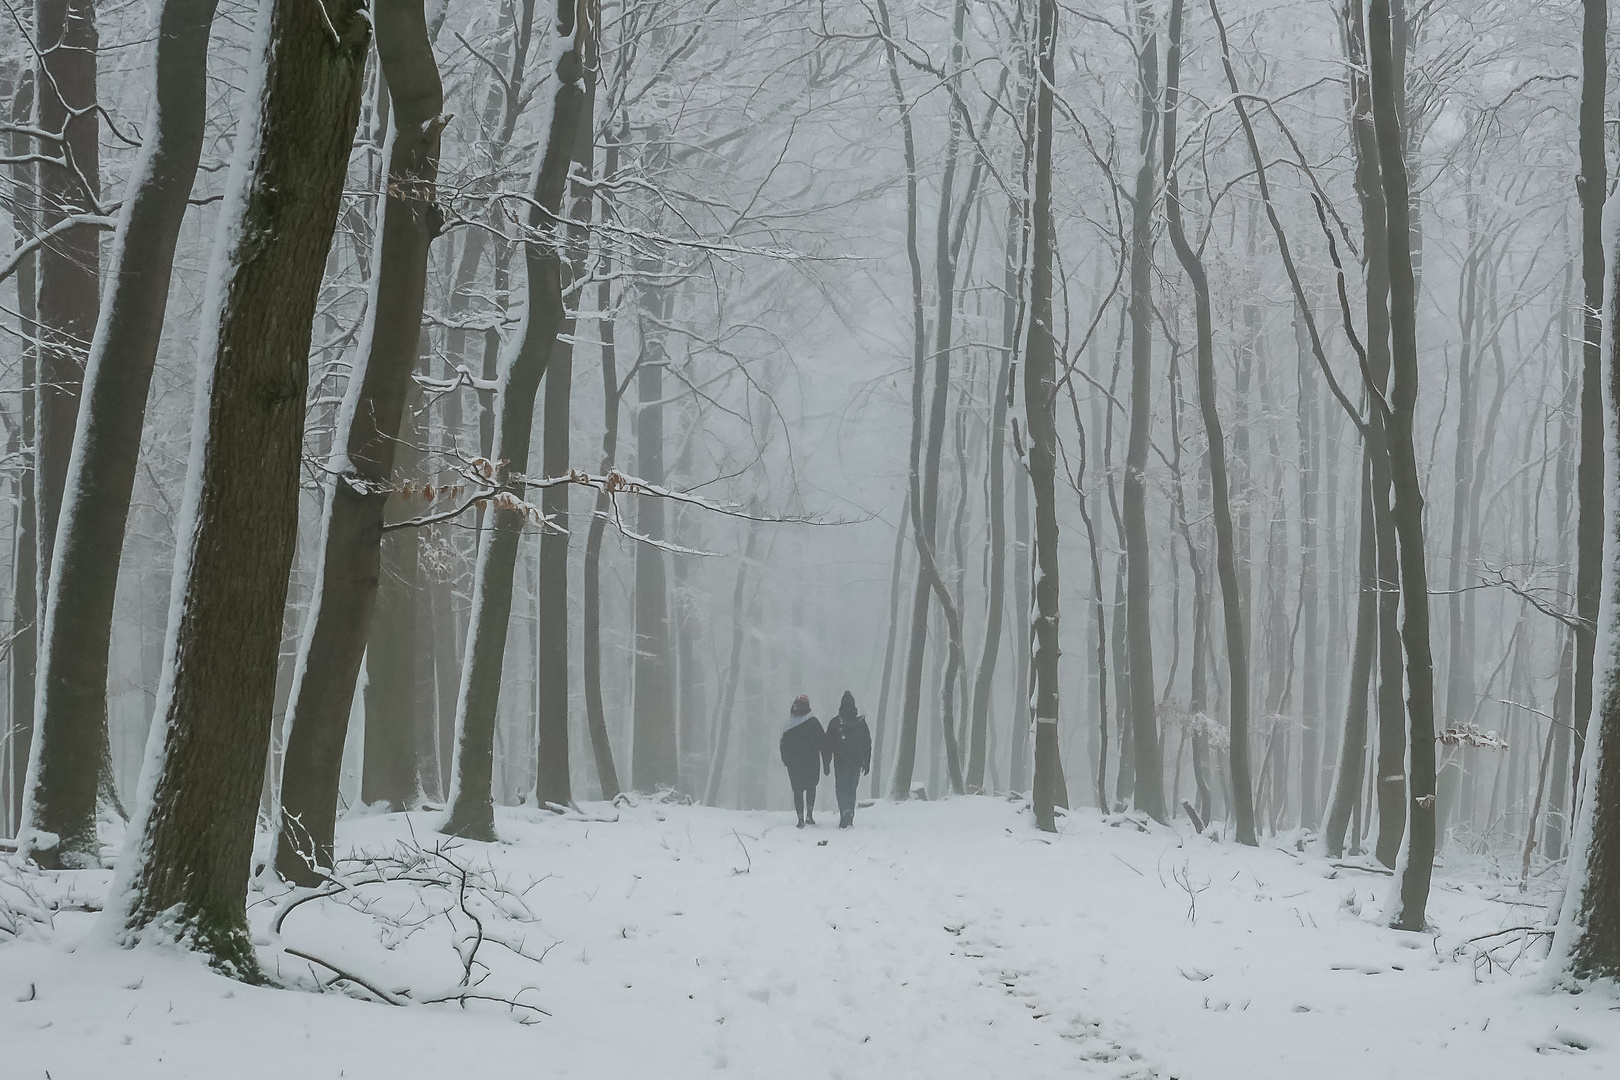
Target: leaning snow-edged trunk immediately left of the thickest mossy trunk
72 704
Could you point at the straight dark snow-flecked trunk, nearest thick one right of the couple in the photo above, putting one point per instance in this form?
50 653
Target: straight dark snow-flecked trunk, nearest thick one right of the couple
1041 407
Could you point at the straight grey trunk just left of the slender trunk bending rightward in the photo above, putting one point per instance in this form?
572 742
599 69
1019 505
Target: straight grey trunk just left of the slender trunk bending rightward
1138 614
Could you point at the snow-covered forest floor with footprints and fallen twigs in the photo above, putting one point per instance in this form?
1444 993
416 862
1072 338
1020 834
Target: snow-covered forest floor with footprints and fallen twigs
932 940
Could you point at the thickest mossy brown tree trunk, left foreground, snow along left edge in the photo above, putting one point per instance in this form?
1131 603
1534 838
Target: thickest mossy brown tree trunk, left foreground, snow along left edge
185 872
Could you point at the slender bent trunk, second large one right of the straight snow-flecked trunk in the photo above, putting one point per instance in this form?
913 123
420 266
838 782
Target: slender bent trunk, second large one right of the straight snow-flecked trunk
1234 597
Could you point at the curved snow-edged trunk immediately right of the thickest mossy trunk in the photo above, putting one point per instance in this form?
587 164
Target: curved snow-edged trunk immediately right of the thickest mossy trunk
367 440
